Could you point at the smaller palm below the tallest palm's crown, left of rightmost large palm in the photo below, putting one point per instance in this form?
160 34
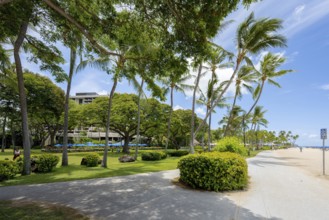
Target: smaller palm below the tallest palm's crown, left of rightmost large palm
245 78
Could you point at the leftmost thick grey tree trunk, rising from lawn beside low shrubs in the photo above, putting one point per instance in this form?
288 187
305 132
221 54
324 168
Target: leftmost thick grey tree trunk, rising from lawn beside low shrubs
22 99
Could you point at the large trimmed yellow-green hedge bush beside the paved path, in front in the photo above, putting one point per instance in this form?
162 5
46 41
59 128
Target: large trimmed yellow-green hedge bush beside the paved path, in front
214 171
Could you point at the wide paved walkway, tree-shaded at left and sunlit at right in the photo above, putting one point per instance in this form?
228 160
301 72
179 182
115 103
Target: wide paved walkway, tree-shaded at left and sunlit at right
277 191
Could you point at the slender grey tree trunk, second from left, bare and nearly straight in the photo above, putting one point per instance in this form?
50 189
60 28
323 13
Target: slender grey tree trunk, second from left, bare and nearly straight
65 160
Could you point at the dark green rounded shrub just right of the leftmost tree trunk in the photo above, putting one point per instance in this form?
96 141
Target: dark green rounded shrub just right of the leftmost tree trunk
44 163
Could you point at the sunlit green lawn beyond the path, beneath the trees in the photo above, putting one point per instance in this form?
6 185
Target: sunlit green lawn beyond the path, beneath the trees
75 171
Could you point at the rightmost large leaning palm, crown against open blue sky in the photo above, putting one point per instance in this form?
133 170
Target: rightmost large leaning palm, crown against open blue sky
267 72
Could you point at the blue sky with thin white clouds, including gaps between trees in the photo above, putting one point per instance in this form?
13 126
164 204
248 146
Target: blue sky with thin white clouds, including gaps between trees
301 105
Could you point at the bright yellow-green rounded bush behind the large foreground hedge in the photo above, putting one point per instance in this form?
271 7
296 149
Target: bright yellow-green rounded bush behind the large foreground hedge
231 144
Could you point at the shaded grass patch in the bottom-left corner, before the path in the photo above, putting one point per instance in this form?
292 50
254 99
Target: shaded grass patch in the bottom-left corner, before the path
12 210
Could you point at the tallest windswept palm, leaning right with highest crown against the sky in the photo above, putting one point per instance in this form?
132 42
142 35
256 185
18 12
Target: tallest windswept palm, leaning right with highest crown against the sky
252 37
